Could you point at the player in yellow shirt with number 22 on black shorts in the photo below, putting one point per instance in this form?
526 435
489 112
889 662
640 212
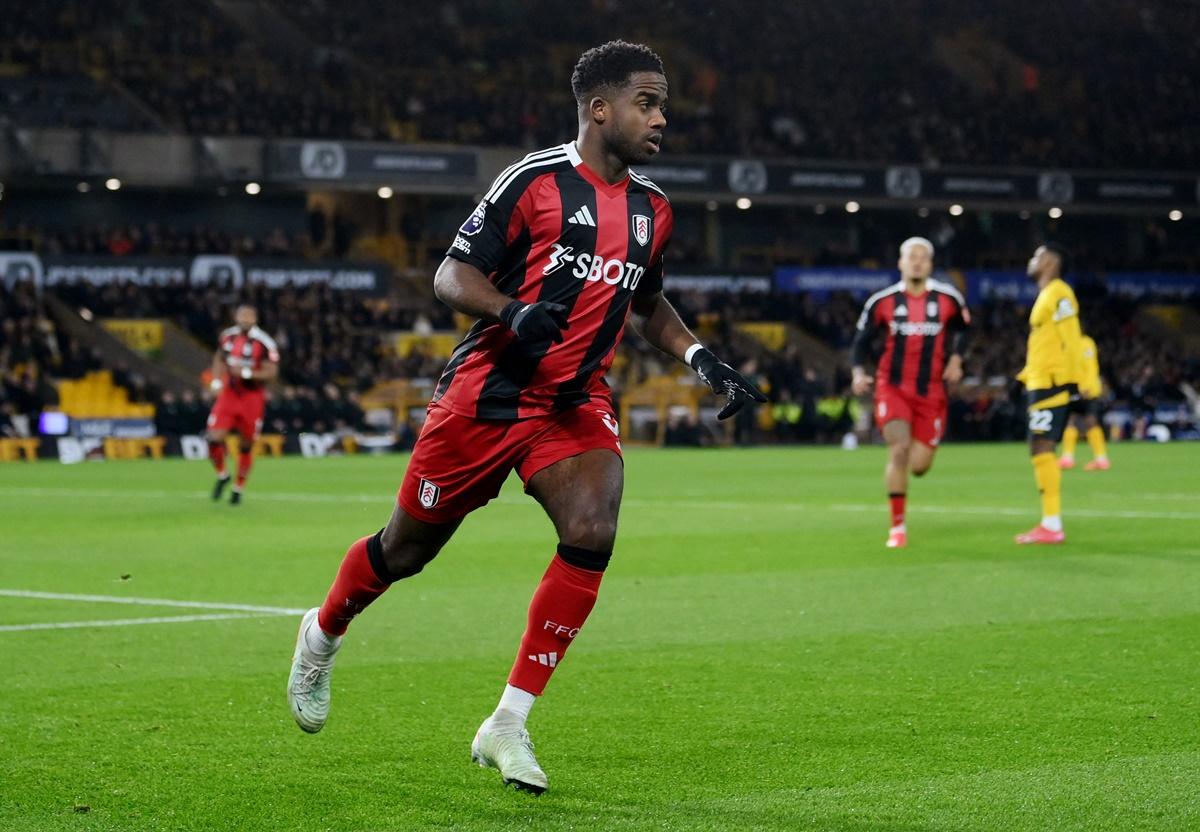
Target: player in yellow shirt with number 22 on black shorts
1052 382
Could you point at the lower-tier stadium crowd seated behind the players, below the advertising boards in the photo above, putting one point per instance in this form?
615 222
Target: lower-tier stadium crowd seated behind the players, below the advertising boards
338 345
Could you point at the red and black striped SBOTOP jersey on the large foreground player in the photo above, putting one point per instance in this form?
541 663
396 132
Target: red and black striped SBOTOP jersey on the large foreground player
551 230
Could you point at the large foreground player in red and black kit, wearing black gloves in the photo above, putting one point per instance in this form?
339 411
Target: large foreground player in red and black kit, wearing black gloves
565 244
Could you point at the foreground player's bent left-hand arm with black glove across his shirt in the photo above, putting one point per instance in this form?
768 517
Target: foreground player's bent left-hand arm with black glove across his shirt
465 289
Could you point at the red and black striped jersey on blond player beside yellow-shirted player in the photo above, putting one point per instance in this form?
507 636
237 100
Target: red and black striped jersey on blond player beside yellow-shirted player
916 328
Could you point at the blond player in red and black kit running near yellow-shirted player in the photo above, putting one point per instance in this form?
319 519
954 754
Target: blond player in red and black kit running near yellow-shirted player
910 394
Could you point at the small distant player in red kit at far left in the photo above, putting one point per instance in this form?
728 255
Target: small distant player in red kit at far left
245 363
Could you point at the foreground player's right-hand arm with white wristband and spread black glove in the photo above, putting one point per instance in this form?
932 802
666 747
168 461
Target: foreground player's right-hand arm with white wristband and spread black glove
659 324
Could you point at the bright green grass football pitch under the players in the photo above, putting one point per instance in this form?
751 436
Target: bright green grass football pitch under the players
758 659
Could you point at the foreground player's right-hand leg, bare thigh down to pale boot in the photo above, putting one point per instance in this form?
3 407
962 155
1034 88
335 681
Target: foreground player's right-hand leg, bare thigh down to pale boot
583 498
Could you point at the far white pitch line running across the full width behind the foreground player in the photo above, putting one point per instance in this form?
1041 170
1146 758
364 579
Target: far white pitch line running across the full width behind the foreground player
386 499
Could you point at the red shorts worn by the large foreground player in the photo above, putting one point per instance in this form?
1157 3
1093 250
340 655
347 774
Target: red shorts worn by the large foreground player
460 463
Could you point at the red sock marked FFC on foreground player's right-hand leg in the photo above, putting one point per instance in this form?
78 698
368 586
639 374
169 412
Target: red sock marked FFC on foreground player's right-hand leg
559 609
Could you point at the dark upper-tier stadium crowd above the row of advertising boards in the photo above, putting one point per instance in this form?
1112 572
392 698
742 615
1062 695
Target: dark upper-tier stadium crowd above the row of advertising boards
968 82
